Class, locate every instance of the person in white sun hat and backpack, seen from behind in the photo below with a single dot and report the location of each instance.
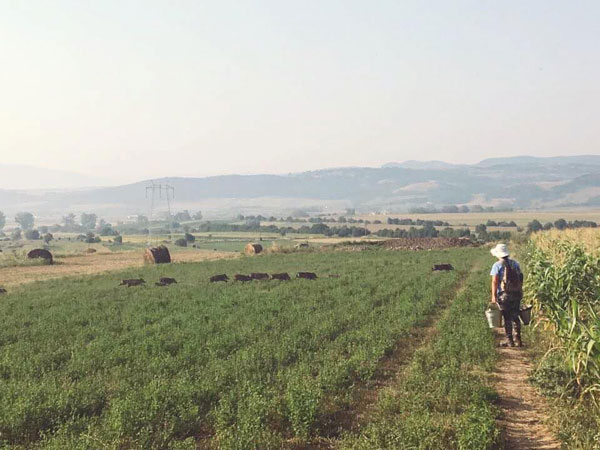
(507, 292)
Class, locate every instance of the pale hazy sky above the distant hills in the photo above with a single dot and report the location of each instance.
(138, 89)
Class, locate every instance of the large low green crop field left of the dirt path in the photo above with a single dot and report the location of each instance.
(85, 363)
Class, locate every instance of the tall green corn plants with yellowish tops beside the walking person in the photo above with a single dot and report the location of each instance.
(563, 283)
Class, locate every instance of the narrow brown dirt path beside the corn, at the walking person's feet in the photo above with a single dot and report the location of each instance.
(523, 410)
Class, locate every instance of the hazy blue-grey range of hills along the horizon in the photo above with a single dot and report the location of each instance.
(520, 182)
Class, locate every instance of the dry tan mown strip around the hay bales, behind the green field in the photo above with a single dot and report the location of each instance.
(95, 263)
